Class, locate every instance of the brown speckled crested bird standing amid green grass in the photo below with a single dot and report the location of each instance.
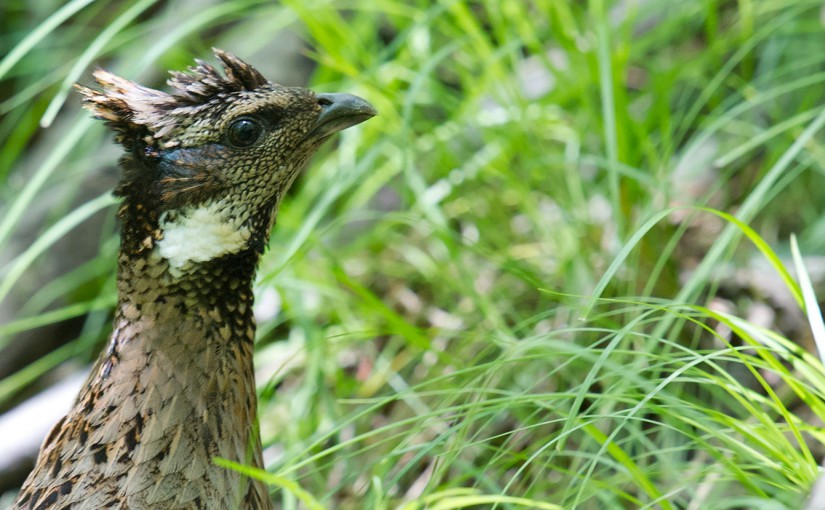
(204, 170)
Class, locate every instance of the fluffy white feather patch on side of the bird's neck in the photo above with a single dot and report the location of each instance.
(200, 234)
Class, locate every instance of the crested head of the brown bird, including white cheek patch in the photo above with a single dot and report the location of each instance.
(207, 164)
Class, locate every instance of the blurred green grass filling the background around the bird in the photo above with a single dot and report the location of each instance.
(532, 282)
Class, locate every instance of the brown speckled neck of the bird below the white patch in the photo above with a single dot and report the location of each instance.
(174, 389)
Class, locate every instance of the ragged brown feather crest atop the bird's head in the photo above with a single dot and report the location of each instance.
(138, 112)
